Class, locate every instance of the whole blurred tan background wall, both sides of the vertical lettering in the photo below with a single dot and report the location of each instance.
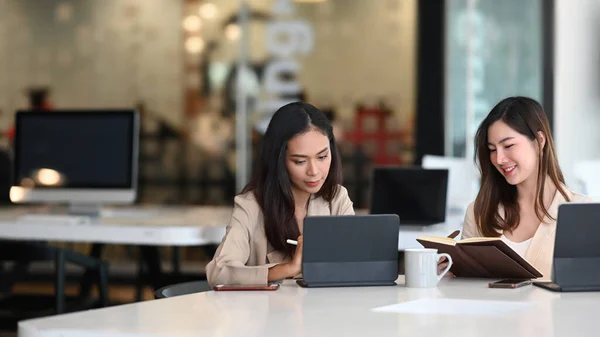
(110, 51)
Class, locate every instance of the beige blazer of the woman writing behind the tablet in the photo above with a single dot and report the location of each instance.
(244, 255)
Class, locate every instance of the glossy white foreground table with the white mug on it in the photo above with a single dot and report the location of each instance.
(475, 310)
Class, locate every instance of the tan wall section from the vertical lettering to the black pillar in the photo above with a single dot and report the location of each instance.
(363, 50)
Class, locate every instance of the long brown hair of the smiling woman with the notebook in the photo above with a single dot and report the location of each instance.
(527, 117)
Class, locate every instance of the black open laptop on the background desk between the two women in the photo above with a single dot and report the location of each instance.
(416, 195)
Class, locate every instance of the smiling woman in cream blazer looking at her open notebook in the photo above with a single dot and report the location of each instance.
(522, 184)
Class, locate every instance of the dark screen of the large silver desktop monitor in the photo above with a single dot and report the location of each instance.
(75, 149)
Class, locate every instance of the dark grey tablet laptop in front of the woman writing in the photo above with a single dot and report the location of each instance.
(350, 250)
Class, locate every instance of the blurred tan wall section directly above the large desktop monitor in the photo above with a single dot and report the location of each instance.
(100, 54)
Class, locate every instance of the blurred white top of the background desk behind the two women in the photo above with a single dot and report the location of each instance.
(168, 226)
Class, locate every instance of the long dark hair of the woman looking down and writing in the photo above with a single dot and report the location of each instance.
(270, 180)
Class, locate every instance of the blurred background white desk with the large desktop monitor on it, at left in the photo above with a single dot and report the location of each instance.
(68, 165)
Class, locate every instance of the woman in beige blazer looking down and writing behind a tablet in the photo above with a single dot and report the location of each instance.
(298, 173)
